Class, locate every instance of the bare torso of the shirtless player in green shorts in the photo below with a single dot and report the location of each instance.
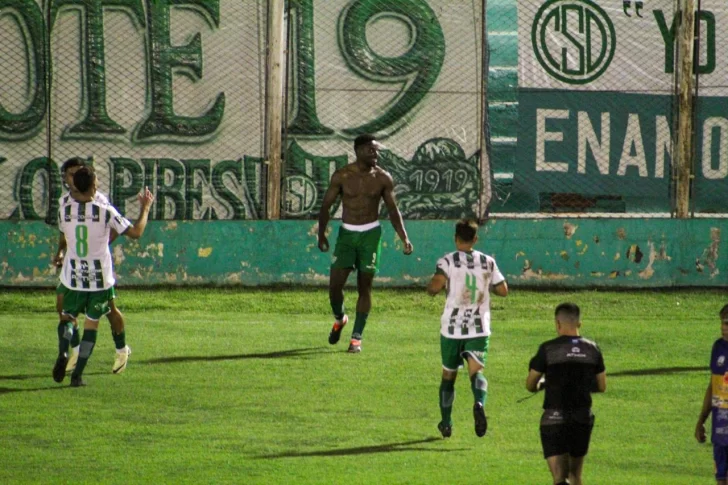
(361, 193)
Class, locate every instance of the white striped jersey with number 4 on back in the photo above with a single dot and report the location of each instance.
(469, 278)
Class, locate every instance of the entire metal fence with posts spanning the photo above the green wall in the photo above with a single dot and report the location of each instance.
(583, 97)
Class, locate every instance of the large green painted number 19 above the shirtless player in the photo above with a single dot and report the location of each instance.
(415, 71)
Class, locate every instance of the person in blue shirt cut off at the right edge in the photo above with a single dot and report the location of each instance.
(716, 402)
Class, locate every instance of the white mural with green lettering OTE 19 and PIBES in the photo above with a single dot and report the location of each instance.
(170, 95)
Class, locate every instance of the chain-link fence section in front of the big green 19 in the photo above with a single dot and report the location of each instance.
(408, 71)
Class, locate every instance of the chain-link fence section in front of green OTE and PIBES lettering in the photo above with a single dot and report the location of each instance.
(152, 94)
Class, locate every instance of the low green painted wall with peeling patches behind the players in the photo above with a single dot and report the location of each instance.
(549, 253)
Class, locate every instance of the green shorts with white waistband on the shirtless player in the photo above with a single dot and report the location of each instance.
(358, 250)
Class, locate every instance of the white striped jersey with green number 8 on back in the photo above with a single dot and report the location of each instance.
(87, 225)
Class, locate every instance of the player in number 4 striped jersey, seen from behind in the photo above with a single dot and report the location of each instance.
(468, 276)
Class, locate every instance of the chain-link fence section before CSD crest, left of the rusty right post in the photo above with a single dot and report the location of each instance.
(591, 127)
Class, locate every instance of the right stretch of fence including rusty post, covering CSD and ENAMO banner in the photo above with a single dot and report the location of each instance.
(592, 125)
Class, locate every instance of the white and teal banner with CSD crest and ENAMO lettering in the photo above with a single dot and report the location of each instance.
(591, 124)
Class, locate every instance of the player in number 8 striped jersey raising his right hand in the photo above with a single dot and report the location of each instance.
(87, 272)
